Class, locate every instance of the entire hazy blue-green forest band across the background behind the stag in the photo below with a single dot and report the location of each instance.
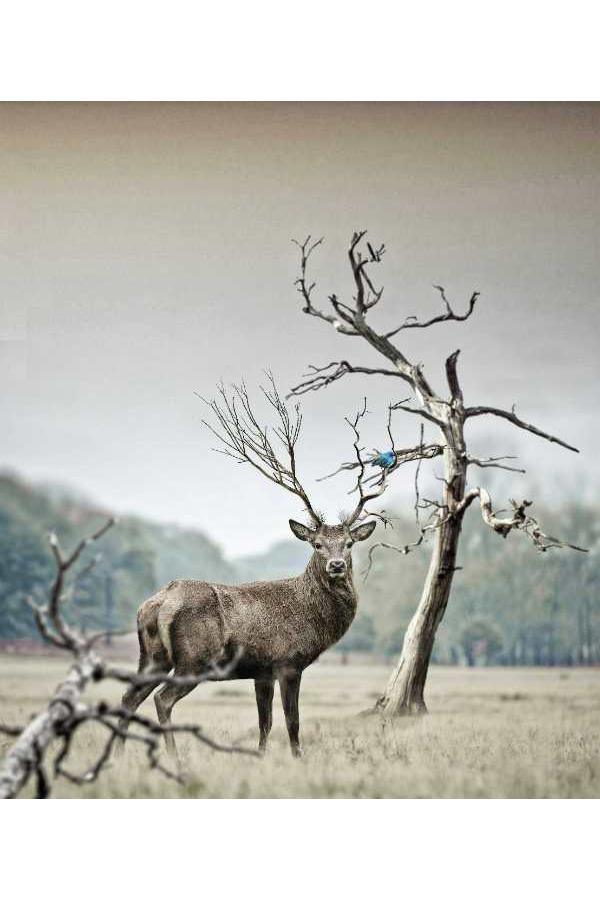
(510, 604)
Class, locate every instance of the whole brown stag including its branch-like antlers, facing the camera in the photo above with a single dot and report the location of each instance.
(264, 630)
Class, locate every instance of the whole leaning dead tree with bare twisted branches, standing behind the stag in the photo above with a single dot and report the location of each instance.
(449, 414)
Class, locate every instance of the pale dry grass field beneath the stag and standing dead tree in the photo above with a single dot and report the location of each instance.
(490, 733)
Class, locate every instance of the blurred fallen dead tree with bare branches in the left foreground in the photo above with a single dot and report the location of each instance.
(58, 722)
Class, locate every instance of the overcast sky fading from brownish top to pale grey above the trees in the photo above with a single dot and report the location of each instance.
(145, 253)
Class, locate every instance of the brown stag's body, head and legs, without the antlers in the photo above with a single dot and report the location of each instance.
(270, 629)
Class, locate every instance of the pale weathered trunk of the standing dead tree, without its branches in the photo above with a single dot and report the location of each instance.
(404, 693)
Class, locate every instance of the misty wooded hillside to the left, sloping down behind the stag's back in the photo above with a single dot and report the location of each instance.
(136, 557)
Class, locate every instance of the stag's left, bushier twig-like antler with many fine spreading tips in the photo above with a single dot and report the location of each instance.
(247, 441)
